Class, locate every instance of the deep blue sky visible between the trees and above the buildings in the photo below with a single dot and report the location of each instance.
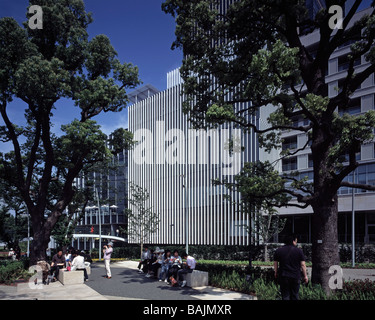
(140, 32)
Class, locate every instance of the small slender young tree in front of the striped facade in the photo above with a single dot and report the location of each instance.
(142, 221)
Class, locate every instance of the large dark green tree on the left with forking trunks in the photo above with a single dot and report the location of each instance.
(40, 67)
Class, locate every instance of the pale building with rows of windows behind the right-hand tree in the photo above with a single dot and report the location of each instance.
(299, 220)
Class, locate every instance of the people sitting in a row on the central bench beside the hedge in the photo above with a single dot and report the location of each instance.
(172, 267)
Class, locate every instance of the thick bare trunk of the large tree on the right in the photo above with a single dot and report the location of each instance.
(325, 249)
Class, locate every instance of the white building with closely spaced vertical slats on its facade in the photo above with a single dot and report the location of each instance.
(177, 166)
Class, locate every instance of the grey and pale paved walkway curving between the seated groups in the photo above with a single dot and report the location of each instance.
(126, 284)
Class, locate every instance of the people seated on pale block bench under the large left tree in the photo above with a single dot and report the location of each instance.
(71, 260)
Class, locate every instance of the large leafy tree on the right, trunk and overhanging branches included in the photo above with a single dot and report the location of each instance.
(253, 52)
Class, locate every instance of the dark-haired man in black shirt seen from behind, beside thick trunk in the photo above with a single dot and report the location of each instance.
(288, 263)
